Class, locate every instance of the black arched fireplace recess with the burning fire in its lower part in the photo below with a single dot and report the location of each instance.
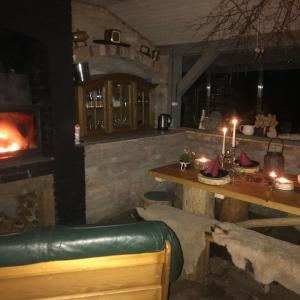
(25, 97)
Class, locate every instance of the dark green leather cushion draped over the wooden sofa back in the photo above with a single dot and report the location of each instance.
(68, 243)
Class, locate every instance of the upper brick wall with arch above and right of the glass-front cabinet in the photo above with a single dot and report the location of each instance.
(94, 20)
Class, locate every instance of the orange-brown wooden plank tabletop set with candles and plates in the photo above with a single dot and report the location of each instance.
(241, 188)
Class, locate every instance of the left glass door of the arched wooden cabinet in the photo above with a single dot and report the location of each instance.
(95, 109)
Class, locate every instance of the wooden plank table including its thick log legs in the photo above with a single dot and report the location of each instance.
(199, 198)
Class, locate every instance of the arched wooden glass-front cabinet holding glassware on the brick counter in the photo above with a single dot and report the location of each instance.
(114, 103)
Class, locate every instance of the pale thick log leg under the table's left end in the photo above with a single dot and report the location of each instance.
(198, 202)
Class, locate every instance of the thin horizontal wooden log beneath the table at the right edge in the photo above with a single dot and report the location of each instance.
(270, 222)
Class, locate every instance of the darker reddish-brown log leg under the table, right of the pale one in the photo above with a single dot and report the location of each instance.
(233, 210)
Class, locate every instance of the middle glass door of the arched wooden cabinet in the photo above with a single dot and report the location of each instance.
(120, 105)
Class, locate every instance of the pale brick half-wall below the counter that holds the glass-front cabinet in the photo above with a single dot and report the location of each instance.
(117, 172)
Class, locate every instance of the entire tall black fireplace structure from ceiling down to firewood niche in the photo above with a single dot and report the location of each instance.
(36, 55)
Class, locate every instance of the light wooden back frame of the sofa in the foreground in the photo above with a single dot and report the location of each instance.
(127, 277)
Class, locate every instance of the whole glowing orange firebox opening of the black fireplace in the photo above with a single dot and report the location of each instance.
(18, 131)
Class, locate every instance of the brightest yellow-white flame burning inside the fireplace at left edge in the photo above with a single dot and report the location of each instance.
(10, 138)
